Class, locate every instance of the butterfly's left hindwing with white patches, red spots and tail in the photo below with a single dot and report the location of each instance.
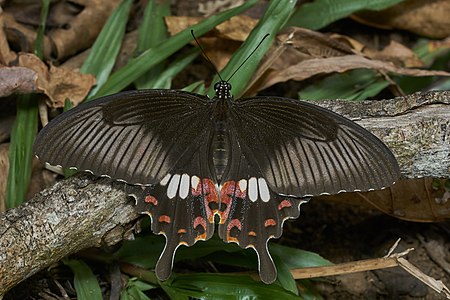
(182, 206)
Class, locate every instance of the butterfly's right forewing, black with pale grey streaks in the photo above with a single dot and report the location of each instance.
(302, 149)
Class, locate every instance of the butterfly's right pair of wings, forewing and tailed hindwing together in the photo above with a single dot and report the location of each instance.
(284, 150)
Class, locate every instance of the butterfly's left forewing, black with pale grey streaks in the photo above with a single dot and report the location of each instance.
(134, 136)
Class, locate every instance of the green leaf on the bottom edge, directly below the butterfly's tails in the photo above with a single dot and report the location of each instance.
(222, 286)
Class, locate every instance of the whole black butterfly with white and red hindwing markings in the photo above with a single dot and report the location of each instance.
(250, 161)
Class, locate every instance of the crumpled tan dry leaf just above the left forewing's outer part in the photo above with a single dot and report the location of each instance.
(58, 83)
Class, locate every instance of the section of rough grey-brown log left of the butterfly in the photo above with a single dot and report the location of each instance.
(74, 214)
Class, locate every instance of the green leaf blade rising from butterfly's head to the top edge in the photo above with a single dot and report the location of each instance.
(274, 18)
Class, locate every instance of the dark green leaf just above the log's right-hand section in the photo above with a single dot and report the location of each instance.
(358, 84)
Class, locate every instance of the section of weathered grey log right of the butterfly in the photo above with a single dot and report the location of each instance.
(416, 128)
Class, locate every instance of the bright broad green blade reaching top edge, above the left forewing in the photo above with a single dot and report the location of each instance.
(104, 52)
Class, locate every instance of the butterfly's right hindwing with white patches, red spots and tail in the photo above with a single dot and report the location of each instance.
(250, 212)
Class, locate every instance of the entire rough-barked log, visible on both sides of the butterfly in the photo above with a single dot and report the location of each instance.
(83, 212)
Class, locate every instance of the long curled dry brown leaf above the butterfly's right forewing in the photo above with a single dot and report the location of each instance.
(315, 53)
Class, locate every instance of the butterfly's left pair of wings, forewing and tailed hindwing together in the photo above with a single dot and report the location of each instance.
(156, 138)
